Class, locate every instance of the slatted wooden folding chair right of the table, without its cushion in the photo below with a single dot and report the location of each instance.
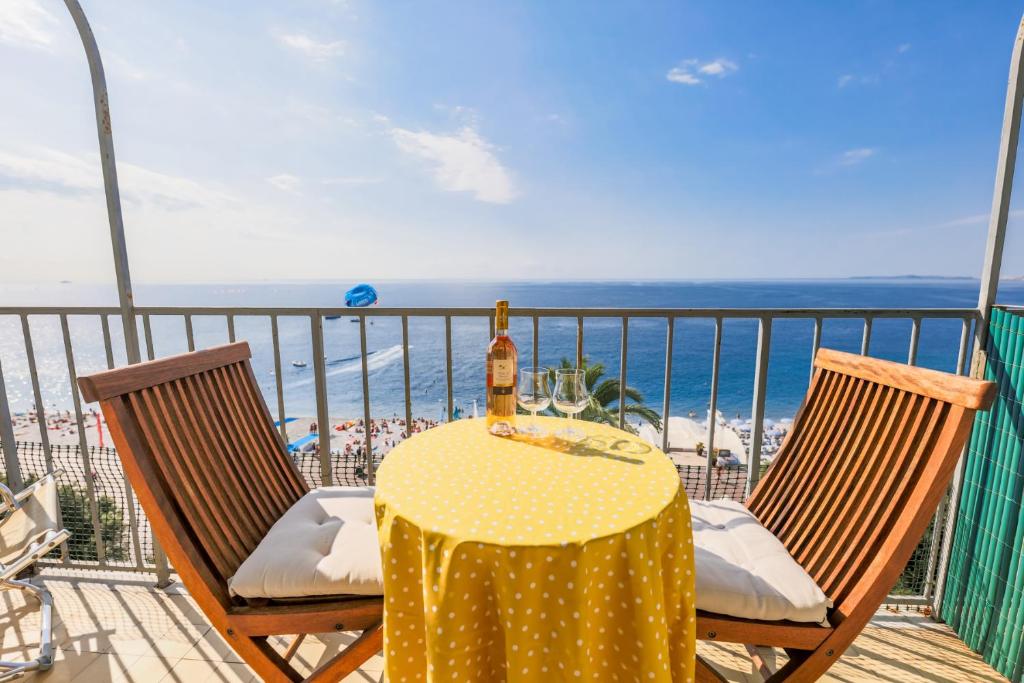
(850, 495)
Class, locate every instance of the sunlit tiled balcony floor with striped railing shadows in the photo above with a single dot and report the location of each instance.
(119, 628)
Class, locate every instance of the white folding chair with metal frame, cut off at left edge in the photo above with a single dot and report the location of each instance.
(30, 528)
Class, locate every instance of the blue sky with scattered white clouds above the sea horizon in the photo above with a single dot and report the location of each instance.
(344, 140)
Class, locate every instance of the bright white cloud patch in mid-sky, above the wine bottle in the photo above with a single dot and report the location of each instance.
(462, 162)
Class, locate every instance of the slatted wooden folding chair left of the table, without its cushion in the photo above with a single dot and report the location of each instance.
(211, 473)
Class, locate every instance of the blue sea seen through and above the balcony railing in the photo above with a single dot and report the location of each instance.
(693, 351)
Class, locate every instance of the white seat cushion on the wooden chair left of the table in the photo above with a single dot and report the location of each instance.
(326, 544)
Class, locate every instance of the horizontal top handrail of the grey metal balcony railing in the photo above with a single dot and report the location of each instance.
(435, 312)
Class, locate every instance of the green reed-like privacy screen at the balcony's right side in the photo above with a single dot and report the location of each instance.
(985, 597)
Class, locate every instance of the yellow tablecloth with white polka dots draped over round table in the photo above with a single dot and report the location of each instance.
(535, 560)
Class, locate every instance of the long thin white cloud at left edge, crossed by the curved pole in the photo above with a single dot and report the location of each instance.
(48, 170)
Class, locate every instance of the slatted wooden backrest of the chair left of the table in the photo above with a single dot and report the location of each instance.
(201, 451)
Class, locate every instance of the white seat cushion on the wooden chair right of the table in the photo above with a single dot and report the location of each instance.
(744, 571)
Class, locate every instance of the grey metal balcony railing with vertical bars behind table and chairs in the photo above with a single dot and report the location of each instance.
(96, 490)
